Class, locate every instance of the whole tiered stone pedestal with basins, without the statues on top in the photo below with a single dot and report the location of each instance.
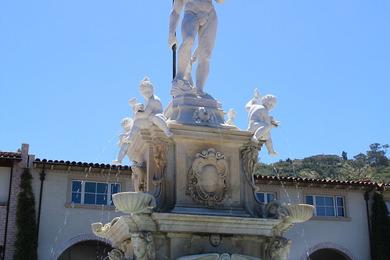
(195, 194)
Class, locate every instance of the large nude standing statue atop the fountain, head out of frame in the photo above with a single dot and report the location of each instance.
(199, 19)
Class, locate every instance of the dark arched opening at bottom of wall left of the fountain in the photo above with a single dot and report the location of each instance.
(86, 250)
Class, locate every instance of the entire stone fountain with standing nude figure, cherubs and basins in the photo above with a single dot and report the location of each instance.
(193, 194)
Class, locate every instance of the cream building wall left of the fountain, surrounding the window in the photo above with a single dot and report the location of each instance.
(62, 225)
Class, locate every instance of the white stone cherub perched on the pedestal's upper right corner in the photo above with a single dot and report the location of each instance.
(260, 123)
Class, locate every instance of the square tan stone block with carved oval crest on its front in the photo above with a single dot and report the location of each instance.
(207, 171)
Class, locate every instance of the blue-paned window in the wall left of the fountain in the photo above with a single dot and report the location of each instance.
(93, 193)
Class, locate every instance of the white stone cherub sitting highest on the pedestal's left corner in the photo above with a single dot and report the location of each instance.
(150, 113)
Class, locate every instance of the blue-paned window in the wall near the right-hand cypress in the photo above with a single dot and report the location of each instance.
(327, 206)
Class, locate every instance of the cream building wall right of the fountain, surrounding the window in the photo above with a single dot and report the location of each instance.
(348, 234)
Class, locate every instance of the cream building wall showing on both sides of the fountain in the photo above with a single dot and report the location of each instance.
(63, 225)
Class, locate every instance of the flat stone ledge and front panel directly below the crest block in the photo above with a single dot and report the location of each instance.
(193, 234)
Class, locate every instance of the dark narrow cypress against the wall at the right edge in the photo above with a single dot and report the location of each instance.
(380, 228)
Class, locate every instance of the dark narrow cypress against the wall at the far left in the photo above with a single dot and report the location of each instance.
(26, 228)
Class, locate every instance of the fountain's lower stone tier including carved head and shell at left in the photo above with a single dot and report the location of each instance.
(178, 236)
